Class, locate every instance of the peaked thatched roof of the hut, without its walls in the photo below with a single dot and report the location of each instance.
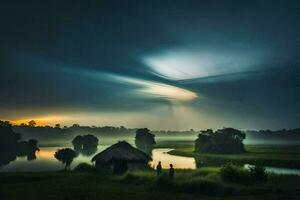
(121, 151)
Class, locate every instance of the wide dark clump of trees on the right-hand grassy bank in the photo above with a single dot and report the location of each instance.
(226, 140)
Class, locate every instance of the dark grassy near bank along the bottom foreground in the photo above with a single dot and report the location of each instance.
(204, 184)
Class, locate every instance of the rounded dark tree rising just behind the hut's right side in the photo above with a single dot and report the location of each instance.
(144, 140)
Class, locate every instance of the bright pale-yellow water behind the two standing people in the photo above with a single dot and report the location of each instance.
(179, 162)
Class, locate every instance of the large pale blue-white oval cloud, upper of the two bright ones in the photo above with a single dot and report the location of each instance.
(185, 63)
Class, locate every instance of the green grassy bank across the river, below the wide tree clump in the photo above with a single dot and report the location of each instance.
(287, 156)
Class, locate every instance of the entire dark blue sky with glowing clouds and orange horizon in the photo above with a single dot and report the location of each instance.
(161, 64)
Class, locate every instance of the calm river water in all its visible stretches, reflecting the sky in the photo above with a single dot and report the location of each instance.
(46, 162)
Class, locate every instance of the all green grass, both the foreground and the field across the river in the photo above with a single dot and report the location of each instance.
(204, 183)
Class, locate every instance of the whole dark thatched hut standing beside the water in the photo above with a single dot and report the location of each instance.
(120, 157)
